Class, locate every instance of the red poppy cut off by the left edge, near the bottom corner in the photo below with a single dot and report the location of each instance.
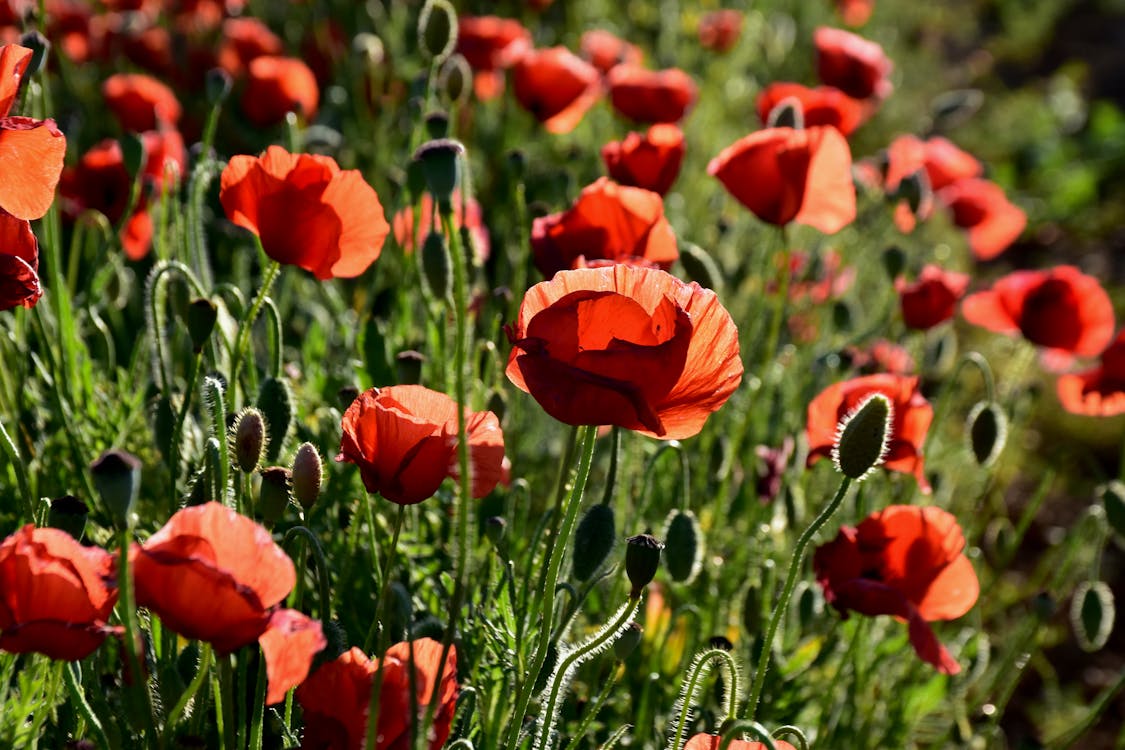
(57, 594)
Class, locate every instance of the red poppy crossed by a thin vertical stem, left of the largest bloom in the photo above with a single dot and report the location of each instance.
(404, 441)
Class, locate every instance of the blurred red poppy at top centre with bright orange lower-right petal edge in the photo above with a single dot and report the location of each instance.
(556, 87)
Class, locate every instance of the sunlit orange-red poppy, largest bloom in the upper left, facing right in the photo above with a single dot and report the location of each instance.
(307, 211)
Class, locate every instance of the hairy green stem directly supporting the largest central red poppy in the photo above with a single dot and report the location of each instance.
(555, 564)
